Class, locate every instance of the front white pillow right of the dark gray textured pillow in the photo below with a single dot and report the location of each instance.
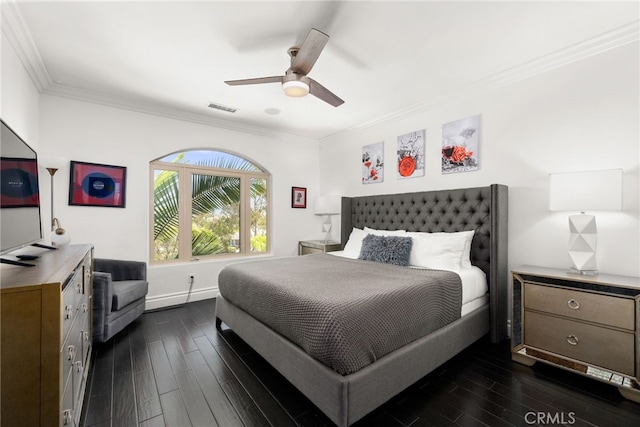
(444, 251)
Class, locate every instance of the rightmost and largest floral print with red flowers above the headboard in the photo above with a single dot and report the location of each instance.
(460, 145)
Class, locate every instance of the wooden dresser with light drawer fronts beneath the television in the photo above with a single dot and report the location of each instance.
(46, 338)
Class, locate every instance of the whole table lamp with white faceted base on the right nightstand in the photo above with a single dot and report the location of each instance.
(580, 192)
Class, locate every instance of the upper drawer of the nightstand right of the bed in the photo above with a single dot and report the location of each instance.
(603, 309)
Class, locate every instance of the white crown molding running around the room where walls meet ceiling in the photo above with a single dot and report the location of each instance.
(17, 33)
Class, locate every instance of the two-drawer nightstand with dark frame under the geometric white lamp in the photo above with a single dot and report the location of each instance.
(584, 324)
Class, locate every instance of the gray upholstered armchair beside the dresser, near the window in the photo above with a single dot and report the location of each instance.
(119, 291)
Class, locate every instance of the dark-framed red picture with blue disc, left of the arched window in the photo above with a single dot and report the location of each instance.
(93, 184)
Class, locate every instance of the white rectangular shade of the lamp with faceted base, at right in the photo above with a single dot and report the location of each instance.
(586, 191)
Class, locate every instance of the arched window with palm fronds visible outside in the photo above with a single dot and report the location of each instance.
(208, 204)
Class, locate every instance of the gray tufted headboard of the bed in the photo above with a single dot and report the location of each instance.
(484, 209)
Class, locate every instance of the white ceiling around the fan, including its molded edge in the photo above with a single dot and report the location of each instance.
(384, 59)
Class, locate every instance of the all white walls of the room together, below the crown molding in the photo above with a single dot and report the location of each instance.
(582, 116)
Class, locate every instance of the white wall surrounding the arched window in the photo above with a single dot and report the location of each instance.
(94, 133)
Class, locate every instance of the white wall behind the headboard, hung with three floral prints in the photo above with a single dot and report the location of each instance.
(583, 116)
